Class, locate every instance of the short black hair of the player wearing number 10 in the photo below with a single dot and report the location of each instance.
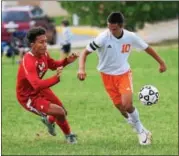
(115, 18)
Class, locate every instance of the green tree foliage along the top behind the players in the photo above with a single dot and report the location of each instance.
(136, 13)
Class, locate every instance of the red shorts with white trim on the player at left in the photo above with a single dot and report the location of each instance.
(40, 103)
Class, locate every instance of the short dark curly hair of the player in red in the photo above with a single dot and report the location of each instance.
(33, 33)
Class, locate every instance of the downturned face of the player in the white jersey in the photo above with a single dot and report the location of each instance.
(115, 29)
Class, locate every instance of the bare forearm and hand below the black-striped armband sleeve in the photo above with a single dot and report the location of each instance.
(81, 65)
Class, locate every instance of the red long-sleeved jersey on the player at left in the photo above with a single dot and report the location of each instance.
(30, 73)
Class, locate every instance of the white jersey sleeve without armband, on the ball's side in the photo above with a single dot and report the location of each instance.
(138, 43)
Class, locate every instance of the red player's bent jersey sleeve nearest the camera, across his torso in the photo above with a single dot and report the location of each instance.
(31, 75)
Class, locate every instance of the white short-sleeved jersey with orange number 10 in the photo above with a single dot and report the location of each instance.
(113, 53)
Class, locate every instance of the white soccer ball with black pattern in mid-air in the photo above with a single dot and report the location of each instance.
(148, 95)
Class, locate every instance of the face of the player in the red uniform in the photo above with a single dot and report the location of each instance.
(40, 45)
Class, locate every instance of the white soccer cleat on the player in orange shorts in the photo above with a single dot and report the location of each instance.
(145, 137)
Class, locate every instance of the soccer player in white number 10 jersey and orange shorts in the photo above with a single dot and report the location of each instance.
(114, 47)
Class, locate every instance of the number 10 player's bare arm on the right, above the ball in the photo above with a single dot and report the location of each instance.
(161, 62)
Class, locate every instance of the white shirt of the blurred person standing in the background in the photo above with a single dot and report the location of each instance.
(67, 35)
